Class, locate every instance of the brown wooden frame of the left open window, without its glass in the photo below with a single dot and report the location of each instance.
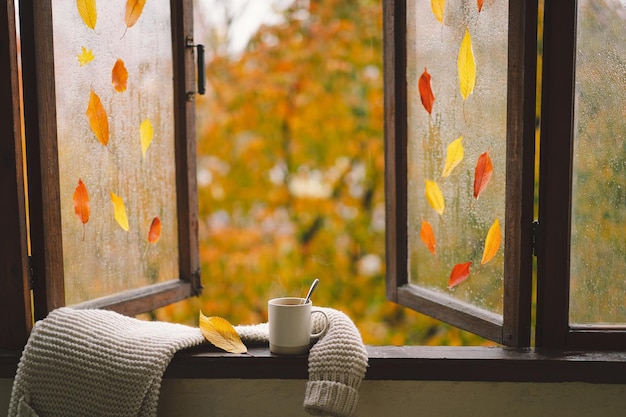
(46, 260)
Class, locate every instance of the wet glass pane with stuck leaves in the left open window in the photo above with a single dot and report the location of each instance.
(114, 93)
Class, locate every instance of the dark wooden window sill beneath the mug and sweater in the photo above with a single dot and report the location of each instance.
(405, 363)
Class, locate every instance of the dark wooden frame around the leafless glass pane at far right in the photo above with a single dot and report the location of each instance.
(554, 330)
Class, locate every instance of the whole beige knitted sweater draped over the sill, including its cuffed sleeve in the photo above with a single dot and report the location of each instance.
(97, 362)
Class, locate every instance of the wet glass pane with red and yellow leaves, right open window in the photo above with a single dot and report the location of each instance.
(457, 147)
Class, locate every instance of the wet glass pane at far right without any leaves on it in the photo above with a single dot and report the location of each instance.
(598, 254)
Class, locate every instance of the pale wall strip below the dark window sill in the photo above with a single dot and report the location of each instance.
(284, 397)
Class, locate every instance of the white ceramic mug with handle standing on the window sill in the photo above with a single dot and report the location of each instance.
(290, 325)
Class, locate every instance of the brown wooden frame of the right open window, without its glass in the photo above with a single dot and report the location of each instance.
(513, 327)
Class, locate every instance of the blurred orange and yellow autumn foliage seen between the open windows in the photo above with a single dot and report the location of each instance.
(290, 175)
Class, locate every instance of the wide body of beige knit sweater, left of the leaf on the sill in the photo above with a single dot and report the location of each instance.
(95, 363)
